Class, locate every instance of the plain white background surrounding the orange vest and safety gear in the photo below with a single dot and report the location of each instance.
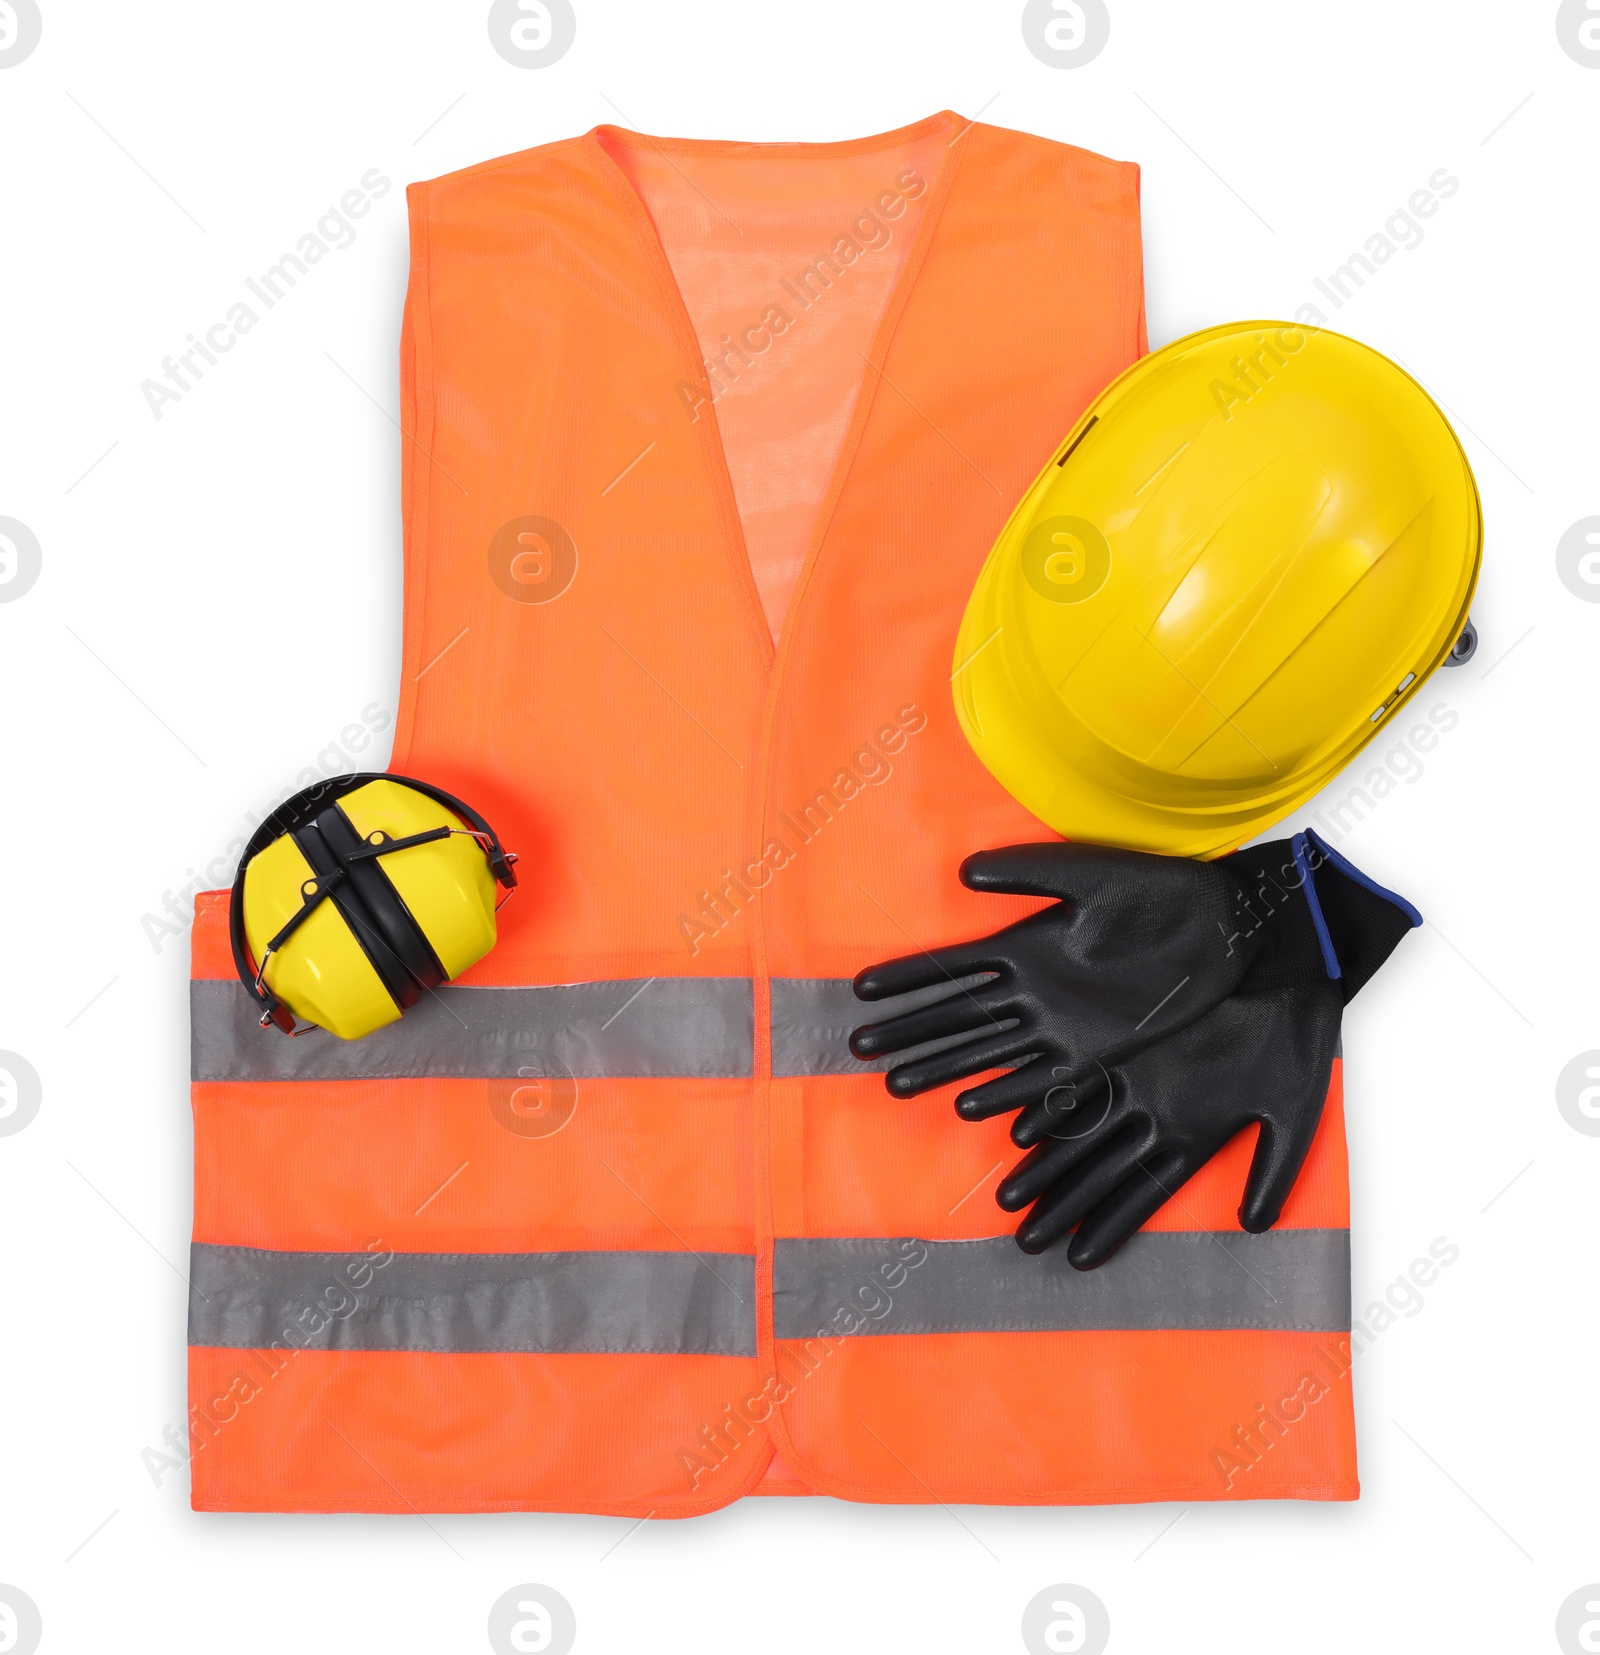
(221, 595)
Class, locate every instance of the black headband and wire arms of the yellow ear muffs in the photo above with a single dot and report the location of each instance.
(350, 875)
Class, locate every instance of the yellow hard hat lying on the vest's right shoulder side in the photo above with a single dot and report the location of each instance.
(1232, 575)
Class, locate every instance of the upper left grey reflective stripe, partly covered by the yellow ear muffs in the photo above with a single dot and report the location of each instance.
(694, 1027)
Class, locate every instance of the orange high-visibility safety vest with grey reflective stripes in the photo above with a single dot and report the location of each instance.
(704, 448)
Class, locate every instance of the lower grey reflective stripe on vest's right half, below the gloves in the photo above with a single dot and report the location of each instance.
(1161, 1280)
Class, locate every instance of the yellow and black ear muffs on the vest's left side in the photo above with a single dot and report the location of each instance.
(358, 896)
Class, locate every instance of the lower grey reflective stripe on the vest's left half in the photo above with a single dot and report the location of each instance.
(674, 1303)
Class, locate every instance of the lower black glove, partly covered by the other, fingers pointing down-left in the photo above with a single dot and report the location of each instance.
(1114, 1146)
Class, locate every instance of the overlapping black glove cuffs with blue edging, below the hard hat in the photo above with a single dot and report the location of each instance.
(1343, 933)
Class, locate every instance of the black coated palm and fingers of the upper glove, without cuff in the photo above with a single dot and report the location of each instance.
(1136, 947)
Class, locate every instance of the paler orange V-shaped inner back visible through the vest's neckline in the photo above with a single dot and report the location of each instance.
(787, 259)
